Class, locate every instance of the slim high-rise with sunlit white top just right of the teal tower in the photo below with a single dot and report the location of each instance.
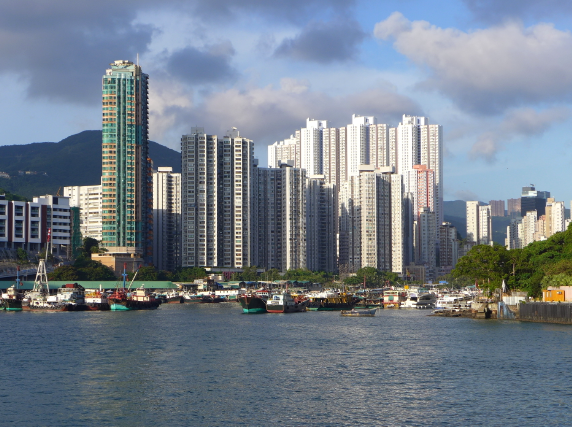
(167, 229)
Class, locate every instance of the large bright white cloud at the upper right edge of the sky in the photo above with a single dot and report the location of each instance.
(487, 70)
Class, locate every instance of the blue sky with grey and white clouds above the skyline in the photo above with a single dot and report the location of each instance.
(497, 75)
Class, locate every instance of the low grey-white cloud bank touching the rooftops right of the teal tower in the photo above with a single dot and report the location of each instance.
(266, 114)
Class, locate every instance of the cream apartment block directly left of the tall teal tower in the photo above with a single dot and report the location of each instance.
(88, 199)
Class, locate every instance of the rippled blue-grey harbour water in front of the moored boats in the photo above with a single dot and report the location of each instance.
(211, 365)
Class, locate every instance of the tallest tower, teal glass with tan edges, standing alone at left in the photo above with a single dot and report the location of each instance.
(127, 182)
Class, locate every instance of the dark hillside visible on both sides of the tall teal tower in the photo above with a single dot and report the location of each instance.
(75, 160)
